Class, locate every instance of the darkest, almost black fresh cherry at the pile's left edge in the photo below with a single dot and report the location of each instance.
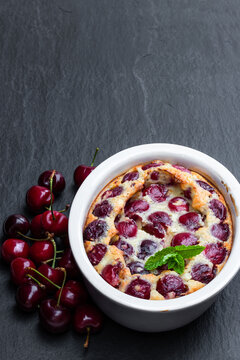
(15, 223)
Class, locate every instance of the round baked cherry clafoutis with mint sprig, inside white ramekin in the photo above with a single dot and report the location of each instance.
(158, 231)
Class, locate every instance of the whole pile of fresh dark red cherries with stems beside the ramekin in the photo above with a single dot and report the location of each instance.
(47, 278)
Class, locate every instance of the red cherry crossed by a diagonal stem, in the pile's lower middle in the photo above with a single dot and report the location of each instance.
(55, 275)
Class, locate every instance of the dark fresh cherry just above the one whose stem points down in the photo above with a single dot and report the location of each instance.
(73, 294)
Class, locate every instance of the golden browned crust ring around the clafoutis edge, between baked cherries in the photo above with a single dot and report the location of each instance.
(200, 203)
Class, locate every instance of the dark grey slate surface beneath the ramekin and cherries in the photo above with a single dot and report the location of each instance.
(78, 74)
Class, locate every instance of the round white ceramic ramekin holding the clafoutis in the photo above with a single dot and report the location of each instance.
(153, 315)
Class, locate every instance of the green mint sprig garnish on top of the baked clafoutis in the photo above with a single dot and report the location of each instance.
(173, 256)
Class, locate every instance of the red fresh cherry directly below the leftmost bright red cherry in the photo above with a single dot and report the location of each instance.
(19, 270)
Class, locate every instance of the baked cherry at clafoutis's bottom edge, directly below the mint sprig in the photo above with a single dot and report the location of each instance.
(171, 286)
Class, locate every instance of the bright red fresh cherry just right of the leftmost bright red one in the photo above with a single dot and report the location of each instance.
(41, 251)
